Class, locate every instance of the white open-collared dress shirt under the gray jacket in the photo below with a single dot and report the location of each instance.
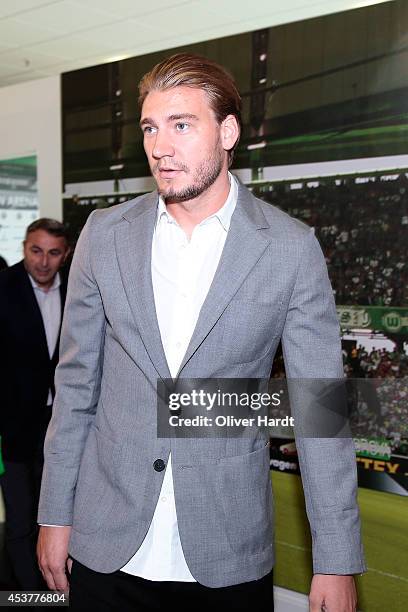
(182, 272)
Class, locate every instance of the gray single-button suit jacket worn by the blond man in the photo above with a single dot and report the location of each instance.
(271, 284)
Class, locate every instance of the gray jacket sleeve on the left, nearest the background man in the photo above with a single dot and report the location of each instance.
(77, 380)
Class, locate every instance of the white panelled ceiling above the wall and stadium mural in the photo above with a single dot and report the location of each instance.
(60, 35)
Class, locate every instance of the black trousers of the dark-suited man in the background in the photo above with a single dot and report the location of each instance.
(20, 486)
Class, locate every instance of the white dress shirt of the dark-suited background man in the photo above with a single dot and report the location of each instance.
(49, 303)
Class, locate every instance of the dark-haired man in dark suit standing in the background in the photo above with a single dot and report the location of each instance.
(32, 296)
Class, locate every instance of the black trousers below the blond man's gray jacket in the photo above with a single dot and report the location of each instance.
(120, 592)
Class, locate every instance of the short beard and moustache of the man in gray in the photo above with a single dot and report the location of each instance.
(204, 176)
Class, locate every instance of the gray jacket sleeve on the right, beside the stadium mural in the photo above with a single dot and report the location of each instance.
(312, 350)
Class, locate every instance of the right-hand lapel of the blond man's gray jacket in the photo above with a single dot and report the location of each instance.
(243, 247)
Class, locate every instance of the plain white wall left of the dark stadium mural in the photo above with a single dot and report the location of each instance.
(30, 123)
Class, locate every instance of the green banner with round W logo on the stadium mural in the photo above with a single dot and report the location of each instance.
(378, 318)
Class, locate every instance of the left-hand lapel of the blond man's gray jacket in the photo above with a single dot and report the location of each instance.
(133, 242)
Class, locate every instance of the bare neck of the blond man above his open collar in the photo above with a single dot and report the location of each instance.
(190, 213)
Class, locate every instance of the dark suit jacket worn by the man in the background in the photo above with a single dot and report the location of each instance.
(26, 370)
